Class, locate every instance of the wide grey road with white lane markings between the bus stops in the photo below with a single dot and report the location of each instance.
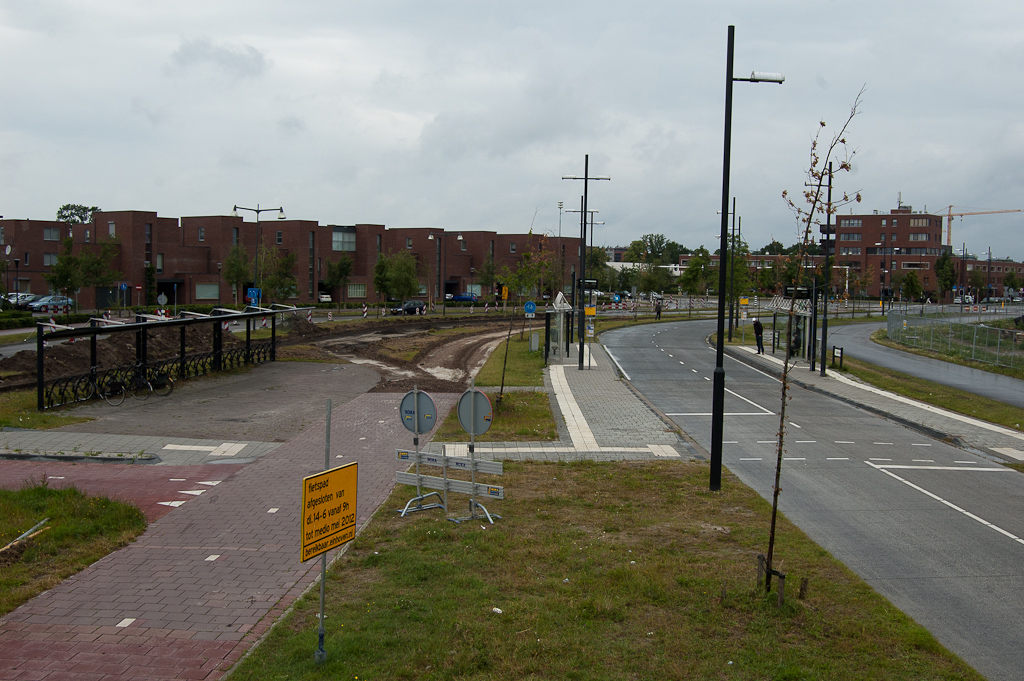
(933, 529)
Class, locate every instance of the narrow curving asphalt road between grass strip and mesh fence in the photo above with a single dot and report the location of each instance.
(856, 342)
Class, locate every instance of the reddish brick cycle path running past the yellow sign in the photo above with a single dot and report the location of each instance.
(204, 583)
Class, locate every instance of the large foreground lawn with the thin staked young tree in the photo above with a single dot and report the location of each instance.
(602, 572)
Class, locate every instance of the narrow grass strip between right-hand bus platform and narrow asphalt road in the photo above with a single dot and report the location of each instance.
(936, 395)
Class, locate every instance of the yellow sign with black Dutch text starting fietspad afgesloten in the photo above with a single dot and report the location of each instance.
(329, 509)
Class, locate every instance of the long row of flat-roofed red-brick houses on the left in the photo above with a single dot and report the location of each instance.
(188, 256)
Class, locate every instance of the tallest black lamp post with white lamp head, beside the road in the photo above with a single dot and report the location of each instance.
(718, 399)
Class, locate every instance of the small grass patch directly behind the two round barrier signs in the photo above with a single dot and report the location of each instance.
(520, 417)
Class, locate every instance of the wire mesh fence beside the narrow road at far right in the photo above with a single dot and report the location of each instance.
(1004, 348)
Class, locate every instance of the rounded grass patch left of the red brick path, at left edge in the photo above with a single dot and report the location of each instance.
(82, 530)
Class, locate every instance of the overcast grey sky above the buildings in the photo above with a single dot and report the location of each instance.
(465, 115)
